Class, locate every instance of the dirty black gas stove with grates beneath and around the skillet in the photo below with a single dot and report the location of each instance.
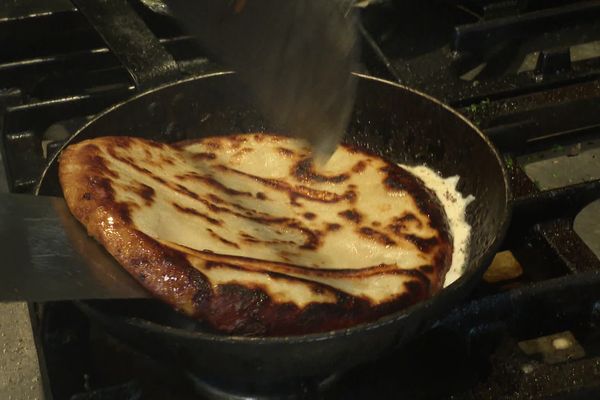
(526, 72)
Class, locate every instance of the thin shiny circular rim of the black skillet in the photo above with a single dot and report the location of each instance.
(320, 336)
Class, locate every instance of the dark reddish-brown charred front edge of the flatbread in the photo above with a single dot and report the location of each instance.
(249, 310)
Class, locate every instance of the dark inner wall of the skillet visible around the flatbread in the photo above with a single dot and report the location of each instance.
(399, 124)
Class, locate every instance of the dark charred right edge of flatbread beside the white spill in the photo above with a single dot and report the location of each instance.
(398, 179)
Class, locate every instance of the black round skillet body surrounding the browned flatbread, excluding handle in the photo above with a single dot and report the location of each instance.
(394, 121)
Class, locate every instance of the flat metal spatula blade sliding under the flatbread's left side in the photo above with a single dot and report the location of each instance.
(47, 255)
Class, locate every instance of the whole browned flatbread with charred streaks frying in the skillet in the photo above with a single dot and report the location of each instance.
(241, 232)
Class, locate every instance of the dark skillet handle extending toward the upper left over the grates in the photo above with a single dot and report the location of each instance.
(128, 37)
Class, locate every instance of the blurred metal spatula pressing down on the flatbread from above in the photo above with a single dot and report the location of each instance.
(294, 56)
